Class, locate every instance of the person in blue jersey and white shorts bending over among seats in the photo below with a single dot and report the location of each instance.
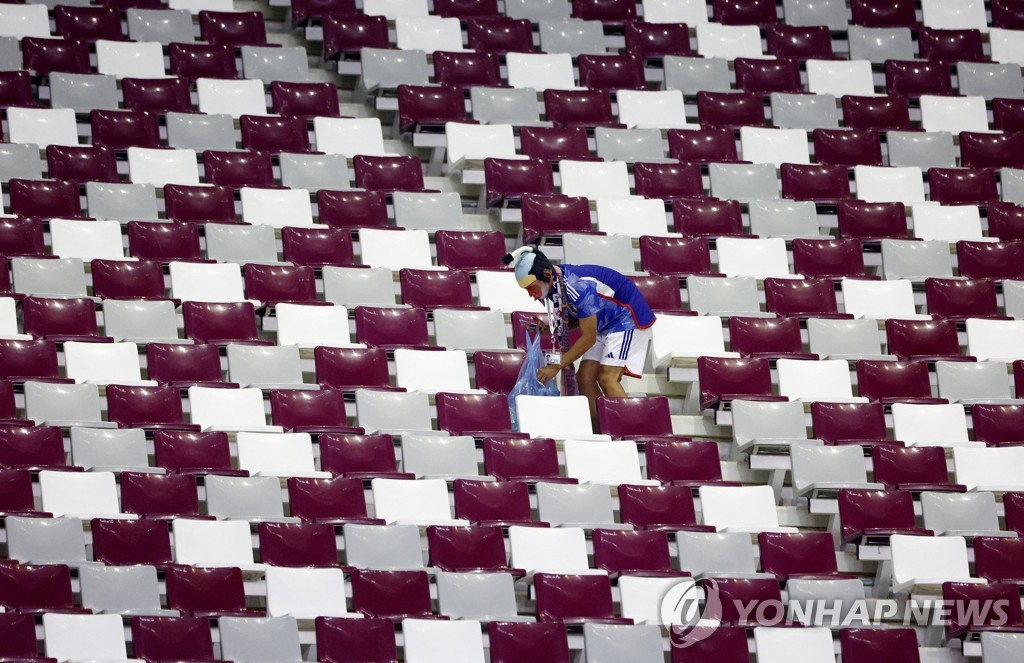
(613, 317)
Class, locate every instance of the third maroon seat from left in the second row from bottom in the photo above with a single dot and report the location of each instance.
(393, 595)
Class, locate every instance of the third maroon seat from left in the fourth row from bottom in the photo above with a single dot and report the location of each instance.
(336, 501)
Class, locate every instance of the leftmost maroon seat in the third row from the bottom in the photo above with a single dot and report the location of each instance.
(121, 543)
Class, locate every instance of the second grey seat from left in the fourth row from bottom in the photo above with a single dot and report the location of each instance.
(570, 506)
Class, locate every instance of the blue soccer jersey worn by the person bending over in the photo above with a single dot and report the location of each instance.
(593, 291)
